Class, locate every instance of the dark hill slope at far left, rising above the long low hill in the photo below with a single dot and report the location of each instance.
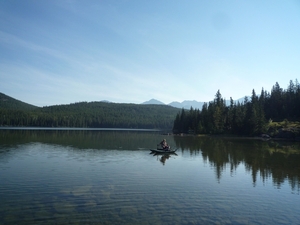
(7, 102)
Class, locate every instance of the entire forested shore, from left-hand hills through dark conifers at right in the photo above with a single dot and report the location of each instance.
(252, 117)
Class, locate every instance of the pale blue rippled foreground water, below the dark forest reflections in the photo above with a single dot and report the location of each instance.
(56, 184)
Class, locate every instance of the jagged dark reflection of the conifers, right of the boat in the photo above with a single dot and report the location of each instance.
(267, 159)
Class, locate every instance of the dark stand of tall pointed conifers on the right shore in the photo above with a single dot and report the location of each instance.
(250, 117)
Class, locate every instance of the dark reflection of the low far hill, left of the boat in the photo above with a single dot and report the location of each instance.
(82, 139)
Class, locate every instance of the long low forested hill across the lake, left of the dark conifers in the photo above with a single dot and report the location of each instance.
(92, 115)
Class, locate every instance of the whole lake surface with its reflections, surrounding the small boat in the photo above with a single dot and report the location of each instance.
(109, 177)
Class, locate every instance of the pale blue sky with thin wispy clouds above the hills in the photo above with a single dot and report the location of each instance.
(130, 51)
